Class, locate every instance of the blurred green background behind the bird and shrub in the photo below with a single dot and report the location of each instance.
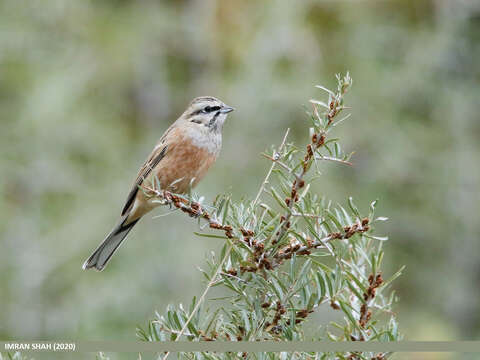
(87, 87)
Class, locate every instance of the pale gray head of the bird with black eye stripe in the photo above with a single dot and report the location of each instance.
(207, 111)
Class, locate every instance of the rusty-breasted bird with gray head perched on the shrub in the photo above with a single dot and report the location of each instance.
(179, 160)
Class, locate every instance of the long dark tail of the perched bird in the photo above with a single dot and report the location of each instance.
(104, 252)
